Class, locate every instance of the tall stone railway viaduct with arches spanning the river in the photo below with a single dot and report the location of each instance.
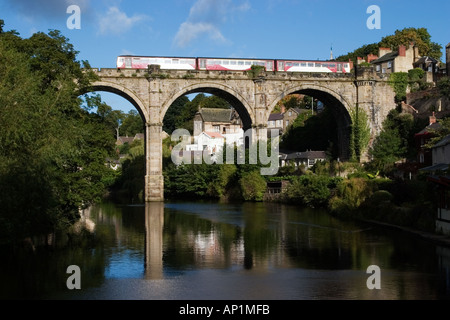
(254, 96)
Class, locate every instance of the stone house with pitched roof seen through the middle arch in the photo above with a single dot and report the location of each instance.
(224, 121)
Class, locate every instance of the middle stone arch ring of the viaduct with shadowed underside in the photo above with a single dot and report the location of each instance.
(237, 101)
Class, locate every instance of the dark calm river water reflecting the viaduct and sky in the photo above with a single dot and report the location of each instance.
(223, 251)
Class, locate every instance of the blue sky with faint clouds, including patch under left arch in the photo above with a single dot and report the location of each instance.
(100, 30)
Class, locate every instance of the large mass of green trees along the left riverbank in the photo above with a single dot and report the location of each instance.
(52, 151)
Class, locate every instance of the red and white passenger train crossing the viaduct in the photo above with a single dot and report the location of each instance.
(231, 64)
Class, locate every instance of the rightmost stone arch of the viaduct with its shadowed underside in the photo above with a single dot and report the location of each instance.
(340, 106)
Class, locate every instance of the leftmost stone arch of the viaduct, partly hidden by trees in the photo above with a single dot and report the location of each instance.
(124, 93)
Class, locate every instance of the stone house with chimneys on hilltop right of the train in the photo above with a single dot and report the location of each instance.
(396, 61)
